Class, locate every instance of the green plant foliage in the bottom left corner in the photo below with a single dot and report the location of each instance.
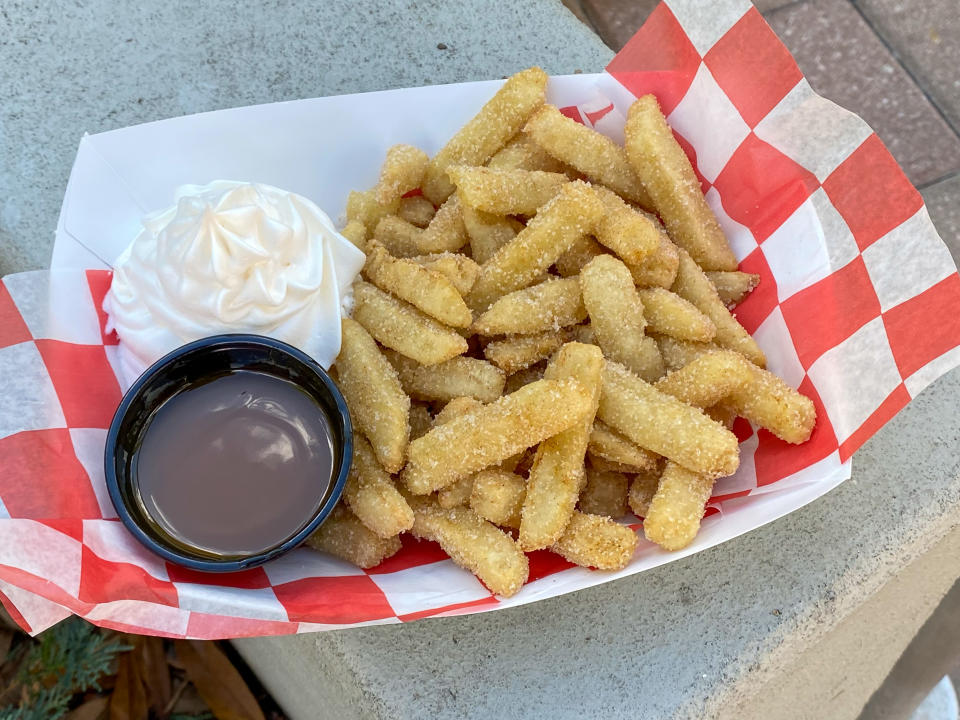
(67, 659)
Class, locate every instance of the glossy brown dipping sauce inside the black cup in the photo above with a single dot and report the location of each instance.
(233, 465)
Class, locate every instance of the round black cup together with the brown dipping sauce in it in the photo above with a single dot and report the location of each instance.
(228, 452)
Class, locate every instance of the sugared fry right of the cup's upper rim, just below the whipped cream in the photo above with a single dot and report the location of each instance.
(378, 405)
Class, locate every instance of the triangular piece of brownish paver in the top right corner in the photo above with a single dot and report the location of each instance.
(923, 35)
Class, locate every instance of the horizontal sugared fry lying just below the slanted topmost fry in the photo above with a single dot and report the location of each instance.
(505, 192)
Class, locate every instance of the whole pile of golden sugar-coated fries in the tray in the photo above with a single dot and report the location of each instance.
(531, 352)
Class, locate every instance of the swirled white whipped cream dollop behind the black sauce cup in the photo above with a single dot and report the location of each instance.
(231, 257)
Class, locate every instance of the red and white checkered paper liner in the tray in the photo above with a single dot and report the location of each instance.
(852, 273)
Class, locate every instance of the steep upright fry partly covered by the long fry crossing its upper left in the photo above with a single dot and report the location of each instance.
(557, 475)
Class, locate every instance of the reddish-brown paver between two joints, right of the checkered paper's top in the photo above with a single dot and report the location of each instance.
(845, 61)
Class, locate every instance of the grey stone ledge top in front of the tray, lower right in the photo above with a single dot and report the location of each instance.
(679, 641)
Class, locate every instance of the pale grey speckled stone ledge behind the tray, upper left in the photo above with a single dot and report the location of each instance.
(67, 68)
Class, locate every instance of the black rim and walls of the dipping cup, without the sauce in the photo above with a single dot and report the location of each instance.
(195, 365)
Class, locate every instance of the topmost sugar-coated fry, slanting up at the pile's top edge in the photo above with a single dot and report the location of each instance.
(488, 131)
